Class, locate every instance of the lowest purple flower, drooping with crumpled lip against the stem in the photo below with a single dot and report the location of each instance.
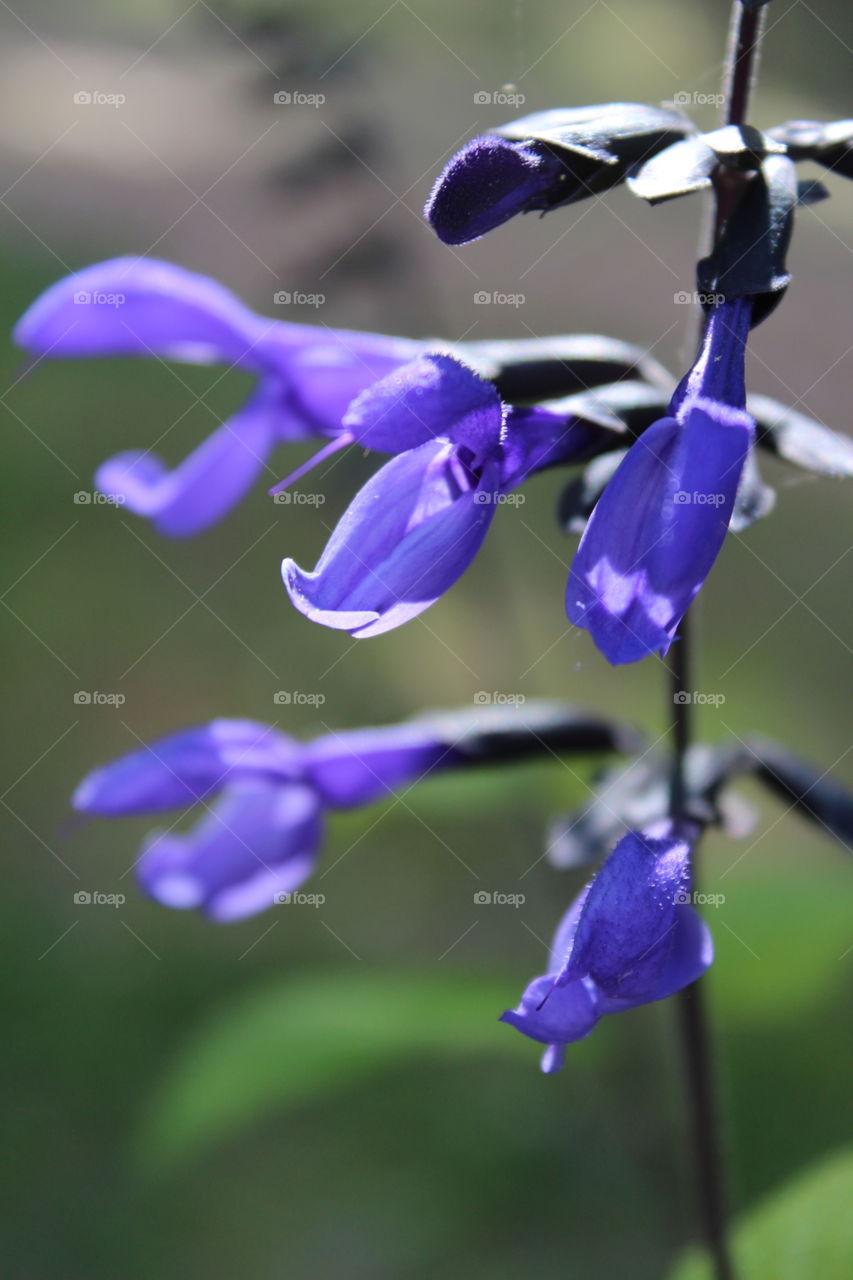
(630, 939)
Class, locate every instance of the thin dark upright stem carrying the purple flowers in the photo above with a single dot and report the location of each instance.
(745, 40)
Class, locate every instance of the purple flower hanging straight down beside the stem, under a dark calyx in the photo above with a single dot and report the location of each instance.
(663, 519)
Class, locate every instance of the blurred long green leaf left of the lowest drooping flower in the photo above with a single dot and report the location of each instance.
(291, 1043)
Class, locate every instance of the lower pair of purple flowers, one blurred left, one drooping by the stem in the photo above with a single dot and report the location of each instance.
(630, 939)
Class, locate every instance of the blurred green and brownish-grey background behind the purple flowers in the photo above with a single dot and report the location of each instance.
(327, 1091)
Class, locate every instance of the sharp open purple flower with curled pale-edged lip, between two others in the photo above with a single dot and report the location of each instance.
(418, 524)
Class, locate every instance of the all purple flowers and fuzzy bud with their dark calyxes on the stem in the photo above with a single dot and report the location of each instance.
(669, 470)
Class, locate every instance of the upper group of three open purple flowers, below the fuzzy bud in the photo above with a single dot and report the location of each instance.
(458, 450)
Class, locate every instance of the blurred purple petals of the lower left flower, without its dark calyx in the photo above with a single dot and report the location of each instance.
(264, 797)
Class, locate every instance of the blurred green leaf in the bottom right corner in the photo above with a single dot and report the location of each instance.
(801, 1232)
